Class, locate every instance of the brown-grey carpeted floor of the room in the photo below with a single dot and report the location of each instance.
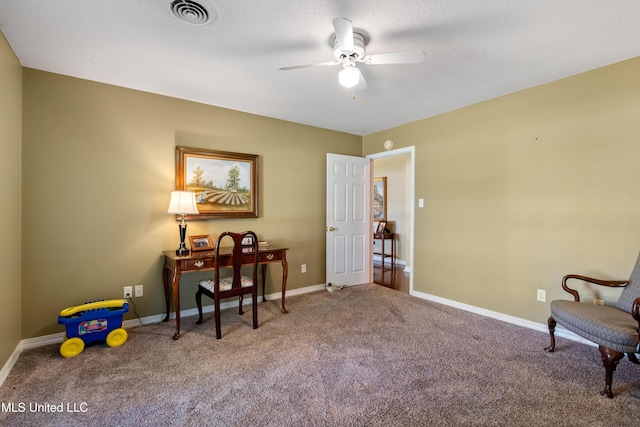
(366, 355)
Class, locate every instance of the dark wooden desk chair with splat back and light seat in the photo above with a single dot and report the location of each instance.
(236, 285)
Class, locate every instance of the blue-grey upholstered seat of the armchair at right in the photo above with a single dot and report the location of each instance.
(603, 325)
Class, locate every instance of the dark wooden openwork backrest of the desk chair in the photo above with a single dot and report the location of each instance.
(241, 254)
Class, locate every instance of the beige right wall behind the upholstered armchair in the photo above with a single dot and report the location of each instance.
(523, 189)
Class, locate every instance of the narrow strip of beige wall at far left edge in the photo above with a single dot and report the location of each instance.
(10, 194)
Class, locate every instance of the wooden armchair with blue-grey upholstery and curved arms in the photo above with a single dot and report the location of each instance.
(616, 329)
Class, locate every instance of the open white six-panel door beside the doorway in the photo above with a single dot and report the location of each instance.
(348, 220)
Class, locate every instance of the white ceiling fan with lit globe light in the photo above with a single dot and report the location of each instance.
(349, 49)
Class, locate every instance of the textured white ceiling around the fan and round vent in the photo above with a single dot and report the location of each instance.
(475, 50)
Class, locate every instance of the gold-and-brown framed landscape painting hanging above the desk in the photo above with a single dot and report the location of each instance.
(225, 183)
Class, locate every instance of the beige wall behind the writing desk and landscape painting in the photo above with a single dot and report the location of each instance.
(99, 167)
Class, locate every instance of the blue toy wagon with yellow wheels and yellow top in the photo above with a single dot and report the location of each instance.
(94, 321)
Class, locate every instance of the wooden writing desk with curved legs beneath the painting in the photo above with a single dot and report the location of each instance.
(175, 265)
